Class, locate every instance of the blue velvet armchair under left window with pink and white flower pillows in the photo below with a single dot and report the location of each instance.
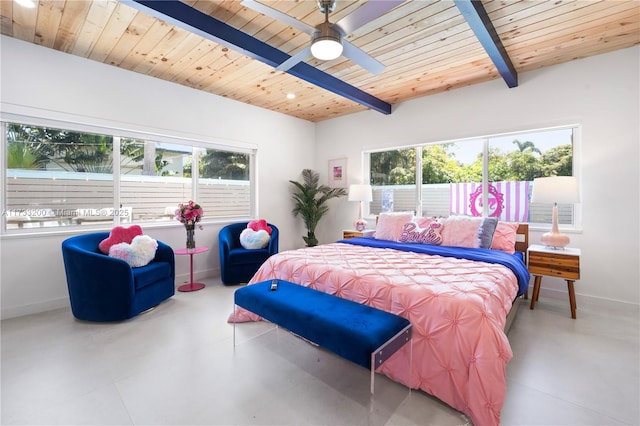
(103, 288)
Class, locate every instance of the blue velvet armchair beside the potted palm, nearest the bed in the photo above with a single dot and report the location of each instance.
(237, 264)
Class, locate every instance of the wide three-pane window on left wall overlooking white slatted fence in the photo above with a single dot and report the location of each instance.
(57, 177)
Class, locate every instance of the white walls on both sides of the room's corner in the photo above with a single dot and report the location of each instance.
(601, 93)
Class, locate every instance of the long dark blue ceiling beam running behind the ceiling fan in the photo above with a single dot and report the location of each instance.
(190, 19)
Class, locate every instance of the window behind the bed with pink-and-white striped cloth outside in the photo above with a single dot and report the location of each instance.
(489, 176)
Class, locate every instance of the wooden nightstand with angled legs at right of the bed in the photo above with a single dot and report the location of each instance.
(545, 261)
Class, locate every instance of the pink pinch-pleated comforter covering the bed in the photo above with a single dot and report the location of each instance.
(457, 307)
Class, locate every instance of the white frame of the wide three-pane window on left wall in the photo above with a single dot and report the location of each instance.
(118, 133)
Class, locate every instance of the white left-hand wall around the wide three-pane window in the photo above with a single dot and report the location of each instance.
(41, 82)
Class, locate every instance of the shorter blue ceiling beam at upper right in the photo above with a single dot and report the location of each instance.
(478, 19)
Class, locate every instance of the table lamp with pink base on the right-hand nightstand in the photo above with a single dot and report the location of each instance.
(554, 190)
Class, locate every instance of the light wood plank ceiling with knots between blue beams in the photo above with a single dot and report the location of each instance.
(427, 47)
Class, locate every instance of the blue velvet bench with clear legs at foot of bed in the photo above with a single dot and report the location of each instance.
(359, 333)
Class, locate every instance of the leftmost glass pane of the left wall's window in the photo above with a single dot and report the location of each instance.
(55, 177)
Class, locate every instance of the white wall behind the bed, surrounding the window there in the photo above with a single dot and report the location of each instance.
(600, 93)
